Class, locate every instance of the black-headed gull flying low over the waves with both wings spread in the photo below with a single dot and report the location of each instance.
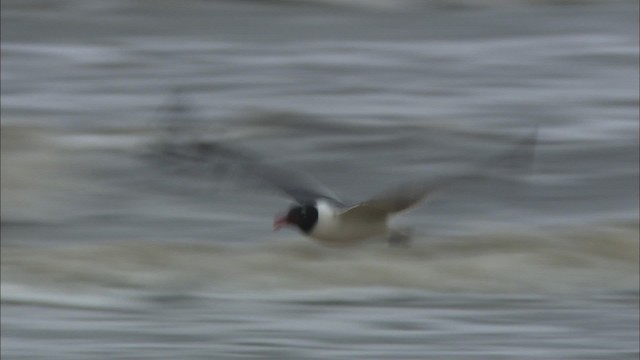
(317, 211)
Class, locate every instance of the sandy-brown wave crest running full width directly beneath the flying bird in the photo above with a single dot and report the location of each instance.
(601, 259)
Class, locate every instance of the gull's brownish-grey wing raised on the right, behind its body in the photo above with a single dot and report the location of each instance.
(408, 195)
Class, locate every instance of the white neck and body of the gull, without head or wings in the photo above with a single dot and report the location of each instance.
(337, 227)
